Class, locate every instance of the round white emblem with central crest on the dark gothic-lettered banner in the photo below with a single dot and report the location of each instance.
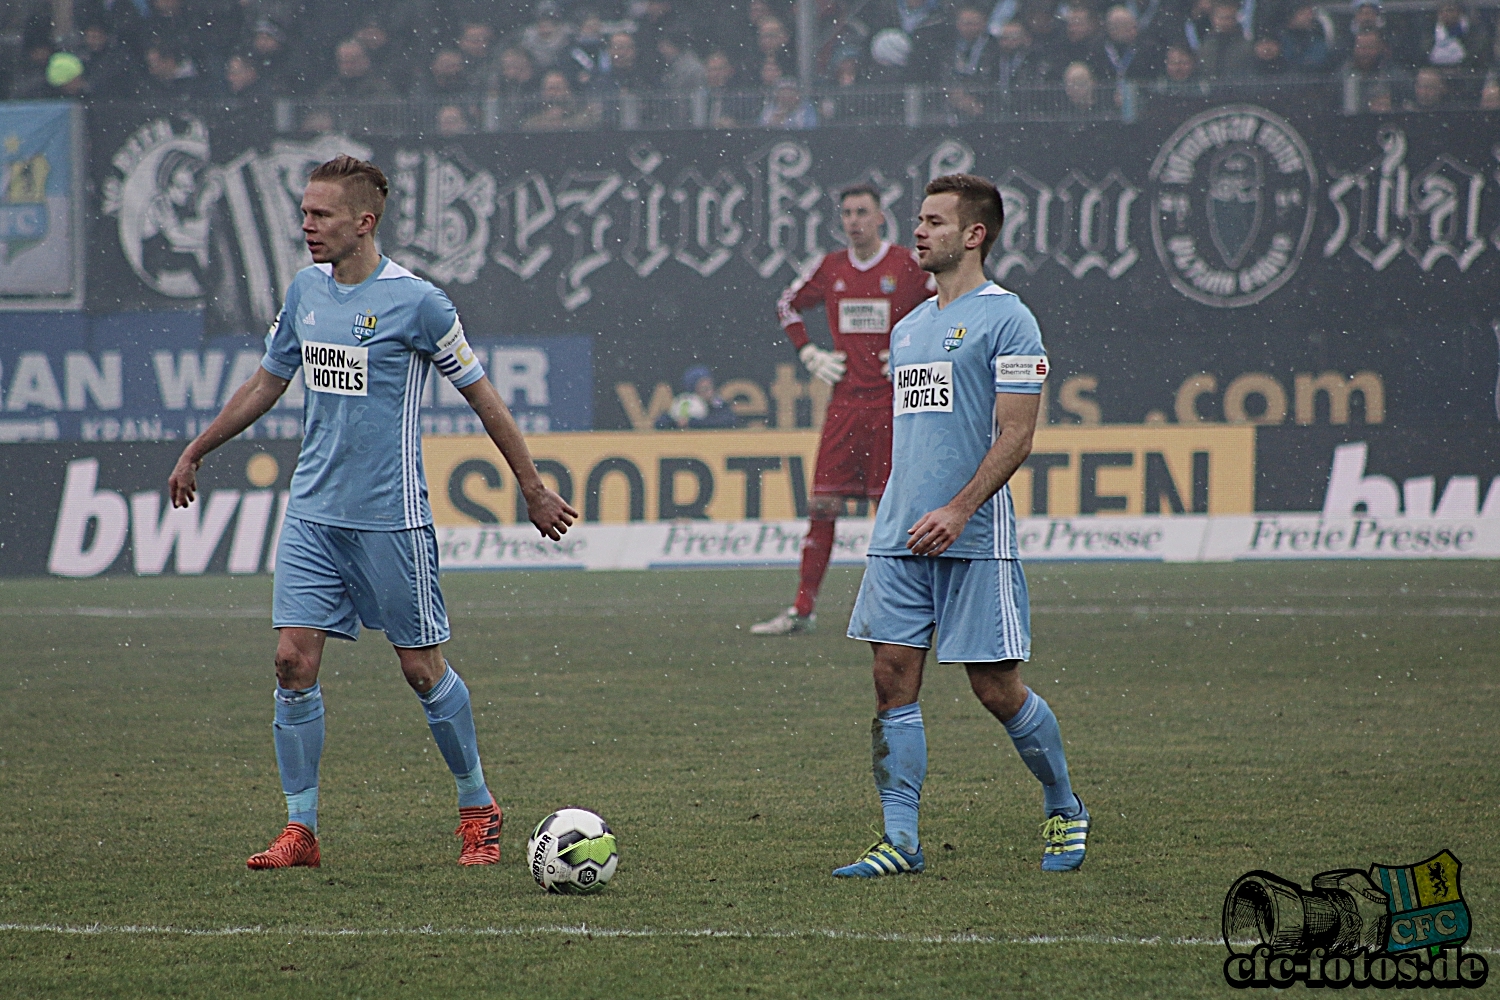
(1232, 205)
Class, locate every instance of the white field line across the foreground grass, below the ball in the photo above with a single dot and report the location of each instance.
(584, 930)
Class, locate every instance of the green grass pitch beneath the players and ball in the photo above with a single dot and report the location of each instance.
(1219, 719)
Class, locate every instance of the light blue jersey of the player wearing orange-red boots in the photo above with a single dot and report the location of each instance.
(364, 356)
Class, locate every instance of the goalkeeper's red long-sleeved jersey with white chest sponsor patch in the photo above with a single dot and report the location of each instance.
(865, 299)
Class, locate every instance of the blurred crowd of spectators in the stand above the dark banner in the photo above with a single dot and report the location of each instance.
(569, 64)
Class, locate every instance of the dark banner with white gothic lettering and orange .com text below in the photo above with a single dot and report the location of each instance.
(1211, 265)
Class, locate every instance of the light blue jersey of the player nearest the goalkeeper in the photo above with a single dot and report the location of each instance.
(947, 365)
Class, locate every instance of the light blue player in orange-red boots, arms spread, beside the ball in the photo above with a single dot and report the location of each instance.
(358, 545)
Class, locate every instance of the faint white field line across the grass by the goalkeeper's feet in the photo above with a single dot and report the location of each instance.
(1154, 611)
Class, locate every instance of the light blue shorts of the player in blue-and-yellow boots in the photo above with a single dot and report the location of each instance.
(979, 606)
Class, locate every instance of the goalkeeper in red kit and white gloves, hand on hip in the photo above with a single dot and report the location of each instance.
(865, 290)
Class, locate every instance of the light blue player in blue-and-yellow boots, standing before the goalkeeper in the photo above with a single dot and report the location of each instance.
(967, 370)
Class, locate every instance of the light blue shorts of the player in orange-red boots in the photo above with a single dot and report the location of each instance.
(337, 578)
